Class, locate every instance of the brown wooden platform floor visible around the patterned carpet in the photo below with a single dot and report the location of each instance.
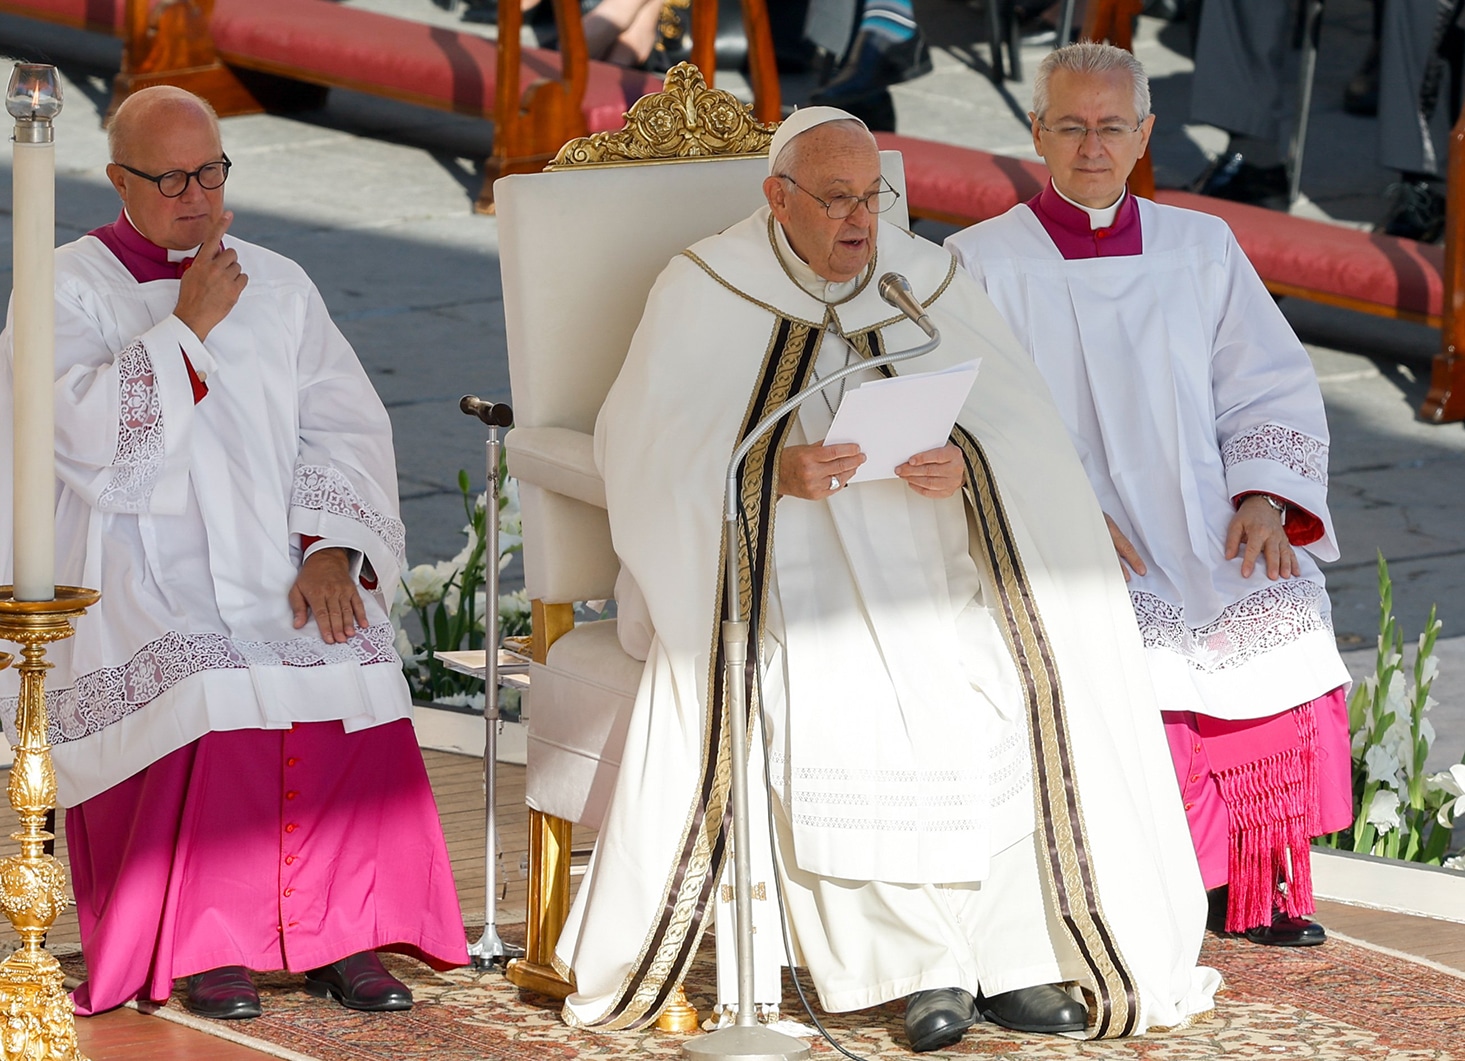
(127, 1035)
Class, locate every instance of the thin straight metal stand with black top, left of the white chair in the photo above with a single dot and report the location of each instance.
(492, 947)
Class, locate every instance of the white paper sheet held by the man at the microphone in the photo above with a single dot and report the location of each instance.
(894, 420)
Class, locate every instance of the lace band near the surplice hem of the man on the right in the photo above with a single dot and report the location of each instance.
(1259, 624)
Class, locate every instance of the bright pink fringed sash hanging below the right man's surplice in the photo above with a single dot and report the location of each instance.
(1268, 775)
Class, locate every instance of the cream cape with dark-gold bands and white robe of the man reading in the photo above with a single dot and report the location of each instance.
(932, 672)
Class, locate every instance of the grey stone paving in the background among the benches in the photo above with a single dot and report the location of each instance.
(374, 200)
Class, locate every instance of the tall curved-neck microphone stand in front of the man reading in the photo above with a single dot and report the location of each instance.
(746, 1038)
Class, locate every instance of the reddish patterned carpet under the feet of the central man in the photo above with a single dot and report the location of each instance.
(1335, 1003)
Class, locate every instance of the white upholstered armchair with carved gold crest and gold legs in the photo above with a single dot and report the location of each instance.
(579, 248)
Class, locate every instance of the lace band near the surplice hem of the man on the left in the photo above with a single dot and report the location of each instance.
(109, 695)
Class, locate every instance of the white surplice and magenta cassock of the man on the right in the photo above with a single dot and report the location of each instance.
(1186, 391)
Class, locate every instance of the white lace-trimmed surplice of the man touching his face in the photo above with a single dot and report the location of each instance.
(188, 518)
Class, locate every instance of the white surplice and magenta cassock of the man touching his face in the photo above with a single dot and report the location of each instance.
(232, 783)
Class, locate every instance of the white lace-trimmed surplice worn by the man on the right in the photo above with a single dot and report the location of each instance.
(1183, 388)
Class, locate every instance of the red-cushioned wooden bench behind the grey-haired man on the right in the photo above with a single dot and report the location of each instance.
(1296, 257)
